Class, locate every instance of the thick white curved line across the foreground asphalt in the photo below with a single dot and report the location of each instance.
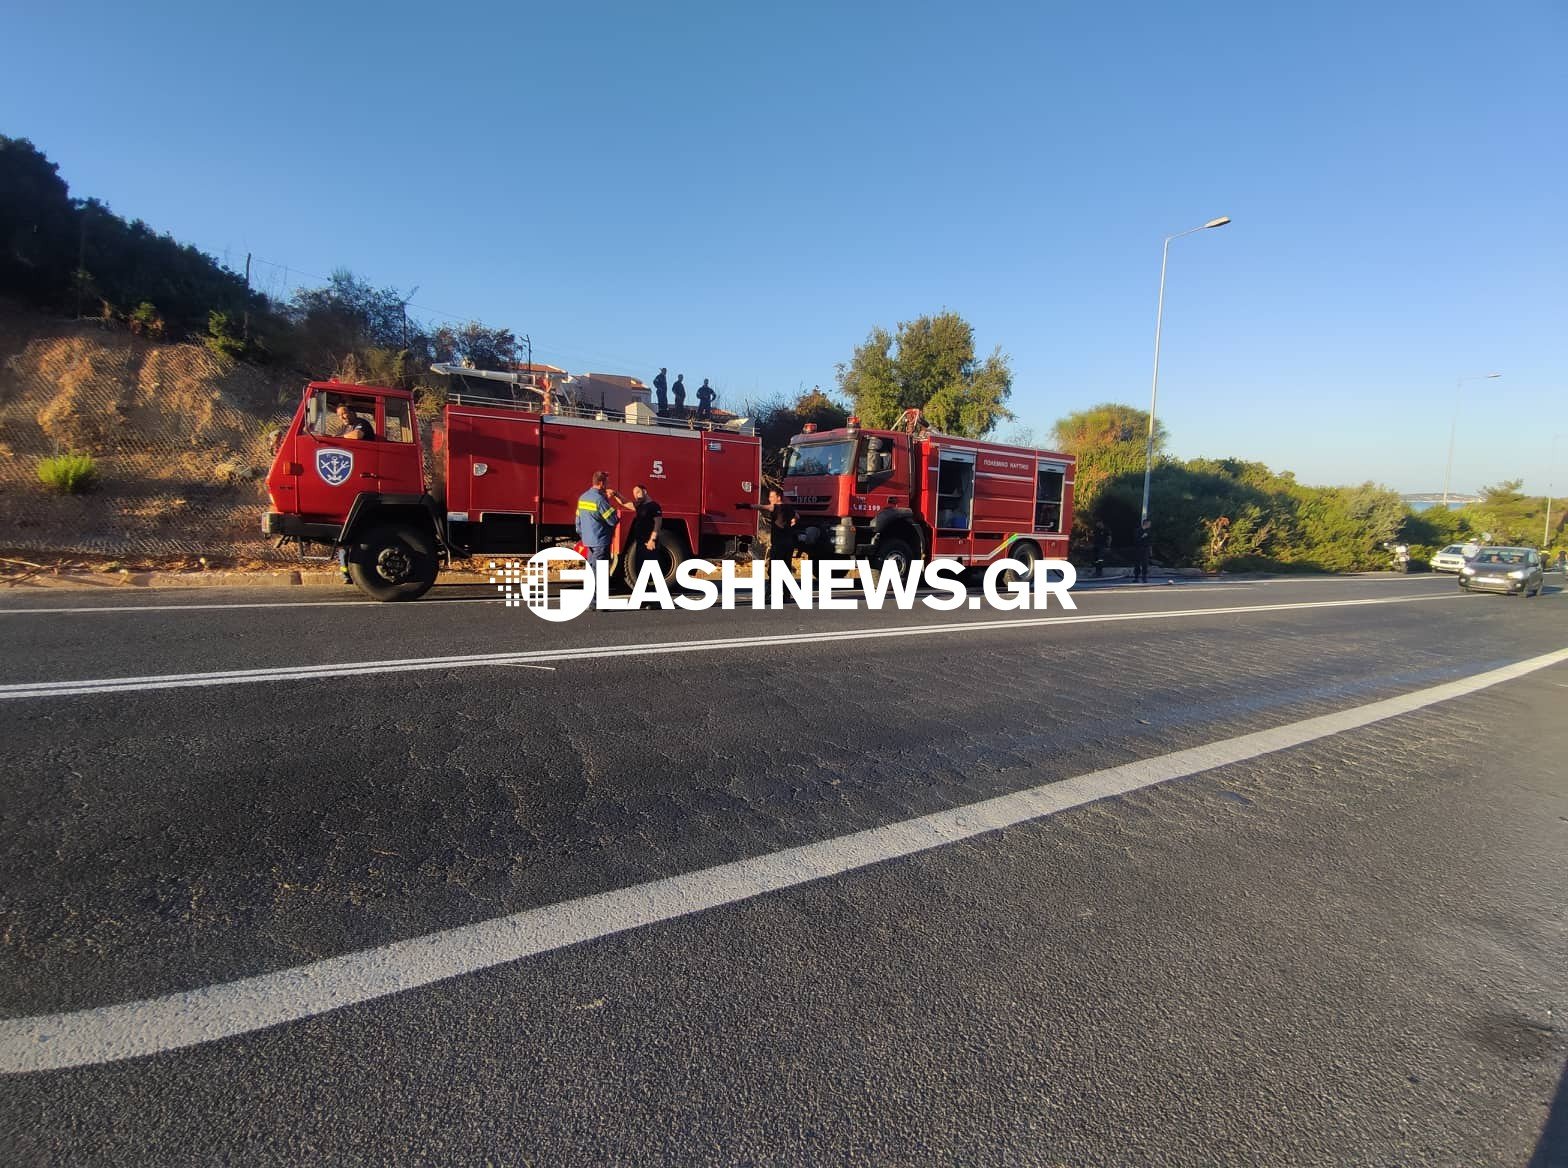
(153, 1026)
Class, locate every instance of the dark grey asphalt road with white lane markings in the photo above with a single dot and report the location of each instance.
(443, 883)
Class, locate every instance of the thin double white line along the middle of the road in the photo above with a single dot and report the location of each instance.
(285, 673)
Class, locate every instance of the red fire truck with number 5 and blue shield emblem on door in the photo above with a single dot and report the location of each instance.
(509, 479)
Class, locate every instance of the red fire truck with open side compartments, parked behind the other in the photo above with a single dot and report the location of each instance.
(913, 493)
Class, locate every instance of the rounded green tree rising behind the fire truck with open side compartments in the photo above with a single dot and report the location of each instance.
(929, 366)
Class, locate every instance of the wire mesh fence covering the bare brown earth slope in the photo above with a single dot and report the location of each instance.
(176, 433)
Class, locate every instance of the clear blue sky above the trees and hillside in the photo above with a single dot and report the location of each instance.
(742, 192)
